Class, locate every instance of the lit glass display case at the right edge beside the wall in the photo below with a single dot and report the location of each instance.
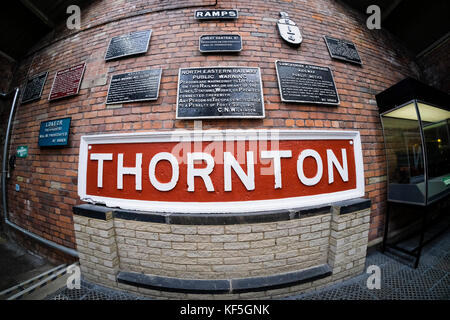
(417, 140)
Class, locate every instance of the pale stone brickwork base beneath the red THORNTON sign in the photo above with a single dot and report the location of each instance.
(223, 251)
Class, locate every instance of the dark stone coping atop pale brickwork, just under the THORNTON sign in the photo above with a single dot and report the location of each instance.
(106, 213)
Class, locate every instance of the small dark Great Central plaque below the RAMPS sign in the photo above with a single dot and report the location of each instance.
(220, 43)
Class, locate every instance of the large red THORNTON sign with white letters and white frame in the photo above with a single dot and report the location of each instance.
(220, 171)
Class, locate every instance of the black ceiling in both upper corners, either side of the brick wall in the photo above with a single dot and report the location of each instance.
(416, 23)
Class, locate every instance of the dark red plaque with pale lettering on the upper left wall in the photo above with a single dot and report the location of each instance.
(67, 82)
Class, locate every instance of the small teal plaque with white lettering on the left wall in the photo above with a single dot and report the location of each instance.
(54, 133)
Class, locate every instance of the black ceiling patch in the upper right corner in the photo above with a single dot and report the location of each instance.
(418, 24)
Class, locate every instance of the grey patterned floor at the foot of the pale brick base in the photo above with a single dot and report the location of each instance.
(399, 281)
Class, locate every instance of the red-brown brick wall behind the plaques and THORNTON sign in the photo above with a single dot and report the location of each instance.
(48, 177)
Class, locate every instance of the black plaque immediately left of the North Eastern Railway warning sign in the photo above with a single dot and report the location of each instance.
(134, 86)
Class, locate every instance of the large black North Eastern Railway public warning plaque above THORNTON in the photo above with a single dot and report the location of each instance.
(220, 92)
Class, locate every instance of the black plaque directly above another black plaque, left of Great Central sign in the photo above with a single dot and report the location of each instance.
(128, 44)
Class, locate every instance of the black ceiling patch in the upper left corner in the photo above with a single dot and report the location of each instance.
(25, 22)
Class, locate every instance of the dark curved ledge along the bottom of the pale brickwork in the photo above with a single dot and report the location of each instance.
(239, 285)
